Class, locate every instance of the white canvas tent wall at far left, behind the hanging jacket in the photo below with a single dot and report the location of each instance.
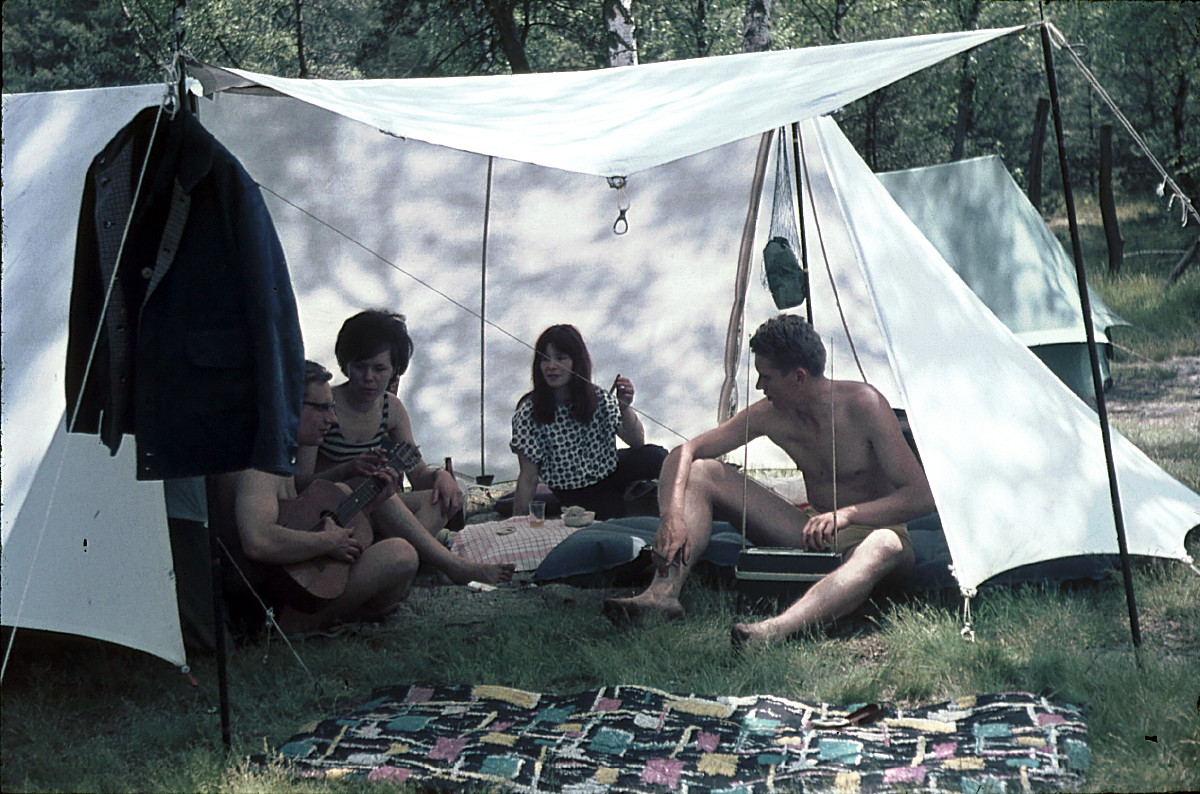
(85, 546)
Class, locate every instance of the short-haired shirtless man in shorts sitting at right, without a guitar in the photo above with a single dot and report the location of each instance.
(878, 488)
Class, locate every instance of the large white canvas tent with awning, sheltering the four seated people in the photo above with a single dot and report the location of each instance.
(397, 220)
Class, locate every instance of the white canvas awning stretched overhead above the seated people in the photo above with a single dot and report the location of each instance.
(625, 121)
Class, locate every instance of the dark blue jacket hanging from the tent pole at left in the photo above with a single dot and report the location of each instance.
(200, 352)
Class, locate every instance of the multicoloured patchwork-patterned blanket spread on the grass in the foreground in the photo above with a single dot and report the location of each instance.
(638, 739)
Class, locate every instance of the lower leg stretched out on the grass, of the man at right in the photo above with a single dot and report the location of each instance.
(837, 595)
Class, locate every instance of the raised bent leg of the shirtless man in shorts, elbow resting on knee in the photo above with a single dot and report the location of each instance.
(771, 520)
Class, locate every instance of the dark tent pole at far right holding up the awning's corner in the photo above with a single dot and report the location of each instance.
(1093, 351)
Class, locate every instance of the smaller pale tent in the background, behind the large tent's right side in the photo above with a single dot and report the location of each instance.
(987, 230)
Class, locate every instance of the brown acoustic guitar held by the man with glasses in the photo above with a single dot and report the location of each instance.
(315, 582)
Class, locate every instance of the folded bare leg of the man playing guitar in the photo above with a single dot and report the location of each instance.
(379, 582)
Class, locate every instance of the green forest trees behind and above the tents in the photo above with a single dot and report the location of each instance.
(1147, 56)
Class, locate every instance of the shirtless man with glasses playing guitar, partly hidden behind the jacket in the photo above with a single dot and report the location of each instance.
(381, 573)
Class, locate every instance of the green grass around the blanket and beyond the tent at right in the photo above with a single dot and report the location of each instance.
(97, 718)
